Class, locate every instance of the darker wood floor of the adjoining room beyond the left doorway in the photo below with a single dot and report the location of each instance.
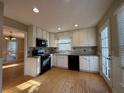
(13, 74)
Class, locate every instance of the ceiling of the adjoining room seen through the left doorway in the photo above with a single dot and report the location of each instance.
(15, 33)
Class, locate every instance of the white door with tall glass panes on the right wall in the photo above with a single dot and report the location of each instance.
(106, 52)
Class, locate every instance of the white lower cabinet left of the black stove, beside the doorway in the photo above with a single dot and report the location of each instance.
(32, 66)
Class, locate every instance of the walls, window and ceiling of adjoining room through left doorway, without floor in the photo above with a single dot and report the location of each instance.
(13, 46)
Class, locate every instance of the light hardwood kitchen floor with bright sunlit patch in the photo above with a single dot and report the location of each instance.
(63, 81)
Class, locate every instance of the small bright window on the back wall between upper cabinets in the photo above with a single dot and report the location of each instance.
(64, 44)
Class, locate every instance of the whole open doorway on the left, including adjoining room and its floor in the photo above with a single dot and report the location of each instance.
(14, 53)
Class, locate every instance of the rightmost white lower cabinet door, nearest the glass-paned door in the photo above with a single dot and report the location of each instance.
(94, 64)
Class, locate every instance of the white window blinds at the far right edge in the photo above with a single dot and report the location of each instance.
(121, 34)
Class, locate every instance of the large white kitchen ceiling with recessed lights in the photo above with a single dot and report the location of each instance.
(57, 13)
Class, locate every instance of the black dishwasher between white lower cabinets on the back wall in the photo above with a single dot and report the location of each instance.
(73, 62)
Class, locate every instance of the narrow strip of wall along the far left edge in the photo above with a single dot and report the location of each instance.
(1, 24)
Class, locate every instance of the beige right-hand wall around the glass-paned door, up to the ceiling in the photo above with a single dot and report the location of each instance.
(115, 65)
